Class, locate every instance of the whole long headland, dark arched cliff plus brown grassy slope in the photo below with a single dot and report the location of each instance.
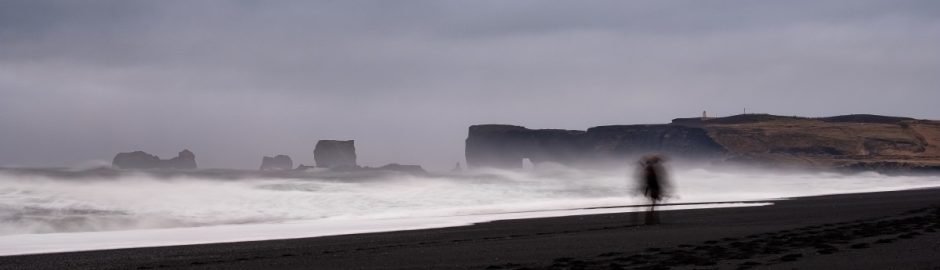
(868, 142)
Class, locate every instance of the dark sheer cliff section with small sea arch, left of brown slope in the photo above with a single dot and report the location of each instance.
(505, 146)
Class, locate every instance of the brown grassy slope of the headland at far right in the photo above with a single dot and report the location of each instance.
(869, 142)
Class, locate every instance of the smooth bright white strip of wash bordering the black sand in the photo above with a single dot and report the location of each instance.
(50, 243)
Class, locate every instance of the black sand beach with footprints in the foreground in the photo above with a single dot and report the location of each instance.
(885, 230)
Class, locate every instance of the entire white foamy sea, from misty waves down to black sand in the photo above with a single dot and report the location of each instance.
(44, 214)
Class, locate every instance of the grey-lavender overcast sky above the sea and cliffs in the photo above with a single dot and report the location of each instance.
(236, 80)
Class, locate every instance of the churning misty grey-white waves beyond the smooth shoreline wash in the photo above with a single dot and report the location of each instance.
(45, 204)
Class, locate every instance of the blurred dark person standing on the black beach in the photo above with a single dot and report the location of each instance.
(654, 185)
